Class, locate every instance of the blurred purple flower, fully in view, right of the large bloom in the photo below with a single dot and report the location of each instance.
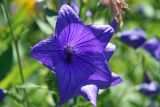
(134, 37)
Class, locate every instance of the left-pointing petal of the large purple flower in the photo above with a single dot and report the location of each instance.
(47, 52)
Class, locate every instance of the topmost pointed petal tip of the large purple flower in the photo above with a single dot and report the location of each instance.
(66, 16)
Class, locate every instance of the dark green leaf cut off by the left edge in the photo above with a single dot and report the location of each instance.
(6, 60)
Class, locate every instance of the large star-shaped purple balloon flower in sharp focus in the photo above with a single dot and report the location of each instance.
(77, 55)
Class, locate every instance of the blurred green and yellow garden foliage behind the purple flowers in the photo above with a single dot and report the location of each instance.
(31, 21)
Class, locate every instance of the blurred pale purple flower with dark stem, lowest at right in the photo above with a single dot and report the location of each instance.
(149, 87)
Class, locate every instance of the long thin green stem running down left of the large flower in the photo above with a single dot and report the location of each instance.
(17, 52)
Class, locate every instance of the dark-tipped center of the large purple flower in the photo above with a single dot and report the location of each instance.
(69, 51)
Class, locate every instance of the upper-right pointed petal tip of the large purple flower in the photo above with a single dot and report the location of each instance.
(104, 32)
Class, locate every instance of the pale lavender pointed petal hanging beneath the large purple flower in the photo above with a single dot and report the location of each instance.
(90, 93)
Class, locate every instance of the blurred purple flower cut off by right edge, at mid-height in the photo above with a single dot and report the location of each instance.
(153, 47)
